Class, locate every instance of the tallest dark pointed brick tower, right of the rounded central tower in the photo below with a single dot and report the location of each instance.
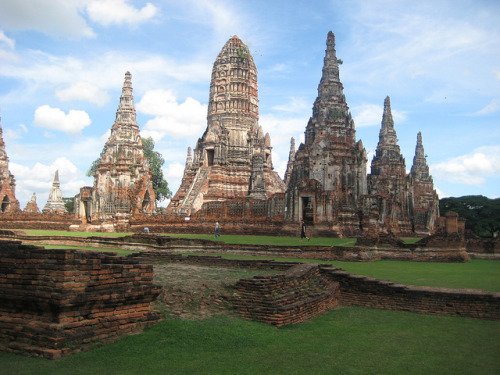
(329, 172)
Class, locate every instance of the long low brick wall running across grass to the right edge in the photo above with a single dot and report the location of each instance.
(380, 294)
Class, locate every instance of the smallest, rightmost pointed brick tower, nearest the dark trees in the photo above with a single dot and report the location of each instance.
(424, 201)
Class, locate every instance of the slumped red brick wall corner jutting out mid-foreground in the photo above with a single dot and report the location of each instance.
(295, 296)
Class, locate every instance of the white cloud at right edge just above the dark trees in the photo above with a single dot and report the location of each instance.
(470, 169)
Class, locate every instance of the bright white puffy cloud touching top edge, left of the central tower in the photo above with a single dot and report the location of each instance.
(108, 12)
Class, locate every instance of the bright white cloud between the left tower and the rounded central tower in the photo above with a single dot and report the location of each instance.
(179, 120)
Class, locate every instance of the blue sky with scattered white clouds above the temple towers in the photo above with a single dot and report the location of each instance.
(62, 66)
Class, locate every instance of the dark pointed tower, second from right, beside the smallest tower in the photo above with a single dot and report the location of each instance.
(386, 205)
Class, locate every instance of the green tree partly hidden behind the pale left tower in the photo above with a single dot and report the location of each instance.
(156, 161)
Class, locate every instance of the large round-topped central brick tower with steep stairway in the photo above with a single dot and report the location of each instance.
(232, 159)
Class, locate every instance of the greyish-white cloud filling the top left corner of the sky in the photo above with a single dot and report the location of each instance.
(55, 18)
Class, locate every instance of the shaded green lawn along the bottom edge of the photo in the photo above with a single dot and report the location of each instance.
(343, 341)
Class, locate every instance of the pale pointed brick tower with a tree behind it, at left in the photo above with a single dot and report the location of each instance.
(123, 182)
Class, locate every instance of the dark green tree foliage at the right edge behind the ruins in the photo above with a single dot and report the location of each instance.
(482, 214)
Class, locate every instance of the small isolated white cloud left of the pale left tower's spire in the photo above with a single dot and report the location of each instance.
(55, 119)
